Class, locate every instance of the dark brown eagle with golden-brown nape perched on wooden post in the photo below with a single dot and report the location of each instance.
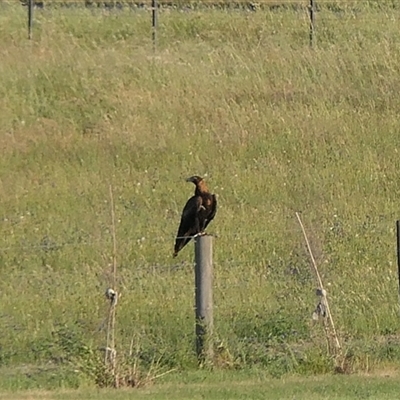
(198, 212)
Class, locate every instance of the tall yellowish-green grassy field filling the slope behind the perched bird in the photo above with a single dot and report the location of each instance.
(277, 128)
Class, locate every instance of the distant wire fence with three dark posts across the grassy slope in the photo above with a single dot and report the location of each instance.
(317, 13)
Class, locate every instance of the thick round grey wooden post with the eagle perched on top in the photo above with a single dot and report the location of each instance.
(204, 298)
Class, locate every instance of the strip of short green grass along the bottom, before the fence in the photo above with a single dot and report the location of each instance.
(237, 385)
